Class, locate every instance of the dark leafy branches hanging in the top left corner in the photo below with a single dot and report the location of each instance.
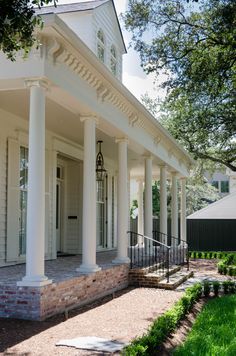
(17, 25)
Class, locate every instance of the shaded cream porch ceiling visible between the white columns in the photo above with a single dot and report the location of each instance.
(63, 119)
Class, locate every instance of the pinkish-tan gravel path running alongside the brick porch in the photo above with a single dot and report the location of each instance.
(121, 318)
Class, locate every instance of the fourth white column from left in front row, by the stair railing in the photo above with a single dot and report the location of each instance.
(148, 200)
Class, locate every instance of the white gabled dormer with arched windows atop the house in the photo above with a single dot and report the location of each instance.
(96, 24)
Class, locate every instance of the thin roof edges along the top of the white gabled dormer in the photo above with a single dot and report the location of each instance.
(81, 6)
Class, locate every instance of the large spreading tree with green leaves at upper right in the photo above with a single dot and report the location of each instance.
(195, 47)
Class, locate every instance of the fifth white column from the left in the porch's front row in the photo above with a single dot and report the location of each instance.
(163, 204)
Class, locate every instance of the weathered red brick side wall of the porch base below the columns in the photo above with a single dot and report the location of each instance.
(43, 302)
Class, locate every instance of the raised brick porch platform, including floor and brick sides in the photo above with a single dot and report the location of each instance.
(68, 289)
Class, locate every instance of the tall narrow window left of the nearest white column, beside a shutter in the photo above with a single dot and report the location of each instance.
(23, 198)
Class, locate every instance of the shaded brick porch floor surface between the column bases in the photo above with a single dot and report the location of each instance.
(57, 270)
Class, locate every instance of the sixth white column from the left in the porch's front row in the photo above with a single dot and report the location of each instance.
(174, 209)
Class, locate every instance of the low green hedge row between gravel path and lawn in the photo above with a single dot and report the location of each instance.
(164, 325)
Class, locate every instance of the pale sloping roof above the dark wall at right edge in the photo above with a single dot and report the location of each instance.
(224, 208)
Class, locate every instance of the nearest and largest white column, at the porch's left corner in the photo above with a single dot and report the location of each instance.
(36, 189)
